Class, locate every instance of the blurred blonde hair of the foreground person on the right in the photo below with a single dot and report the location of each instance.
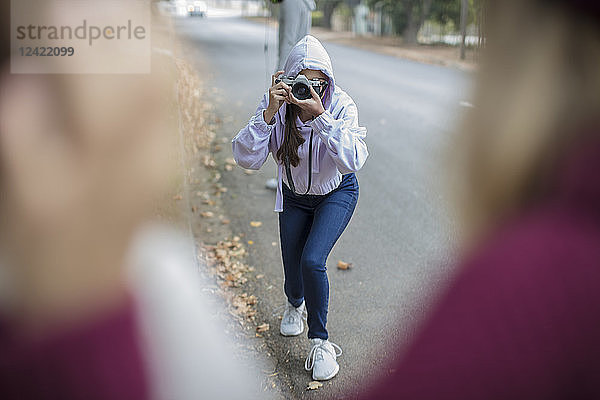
(538, 86)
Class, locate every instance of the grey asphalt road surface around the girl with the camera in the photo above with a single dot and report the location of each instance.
(400, 236)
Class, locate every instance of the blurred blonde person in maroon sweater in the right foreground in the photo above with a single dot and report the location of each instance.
(521, 320)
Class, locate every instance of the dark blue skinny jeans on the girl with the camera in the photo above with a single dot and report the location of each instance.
(309, 226)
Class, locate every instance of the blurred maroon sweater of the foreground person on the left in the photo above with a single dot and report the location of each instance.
(97, 360)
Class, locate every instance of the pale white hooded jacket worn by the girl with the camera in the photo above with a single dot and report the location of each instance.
(338, 143)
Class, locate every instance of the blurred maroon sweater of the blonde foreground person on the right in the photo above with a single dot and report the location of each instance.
(522, 318)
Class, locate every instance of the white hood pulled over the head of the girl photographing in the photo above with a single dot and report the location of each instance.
(309, 53)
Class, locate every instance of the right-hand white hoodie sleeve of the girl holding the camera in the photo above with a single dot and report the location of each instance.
(343, 137)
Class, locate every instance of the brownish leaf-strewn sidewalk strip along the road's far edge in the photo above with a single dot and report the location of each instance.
(447, 56)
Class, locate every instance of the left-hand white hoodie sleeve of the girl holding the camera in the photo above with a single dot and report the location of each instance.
(251, 145)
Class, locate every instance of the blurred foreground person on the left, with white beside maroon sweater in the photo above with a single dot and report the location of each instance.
(90, 306)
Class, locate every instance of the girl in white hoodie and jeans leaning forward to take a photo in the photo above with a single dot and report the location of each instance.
(318, 146)
